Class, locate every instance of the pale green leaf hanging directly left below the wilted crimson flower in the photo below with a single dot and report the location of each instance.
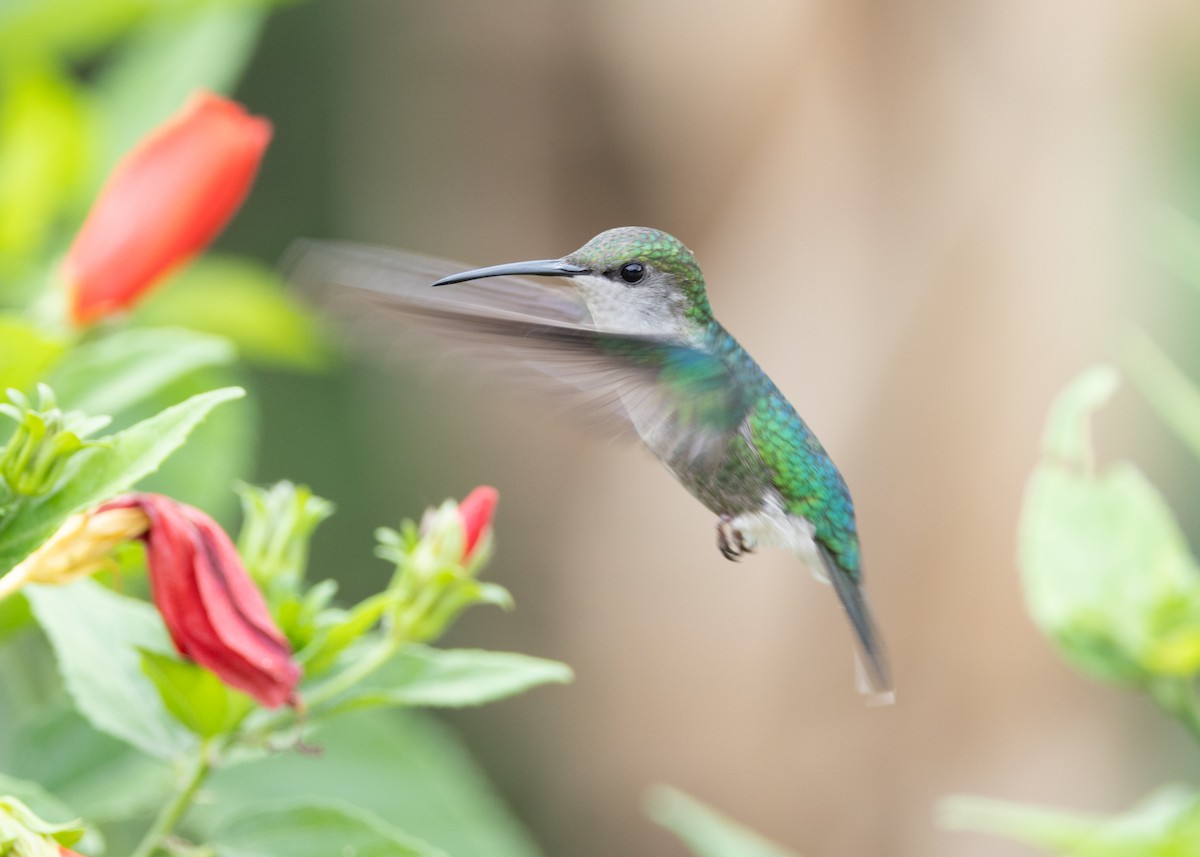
(97, 637)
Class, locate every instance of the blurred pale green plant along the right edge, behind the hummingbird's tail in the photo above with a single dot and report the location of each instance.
(1111, 580)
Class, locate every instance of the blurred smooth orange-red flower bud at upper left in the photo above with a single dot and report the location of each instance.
(164, 203)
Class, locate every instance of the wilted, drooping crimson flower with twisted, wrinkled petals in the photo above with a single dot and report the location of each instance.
(215, 614)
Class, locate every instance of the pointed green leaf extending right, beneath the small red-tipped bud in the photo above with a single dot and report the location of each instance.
(454, 679)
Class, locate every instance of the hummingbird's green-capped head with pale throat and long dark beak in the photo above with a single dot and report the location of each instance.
(634, 279)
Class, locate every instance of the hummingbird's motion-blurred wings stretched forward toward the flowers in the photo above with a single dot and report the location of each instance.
(517, 326)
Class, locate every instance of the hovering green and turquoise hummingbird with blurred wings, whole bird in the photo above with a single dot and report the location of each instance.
(634, 333)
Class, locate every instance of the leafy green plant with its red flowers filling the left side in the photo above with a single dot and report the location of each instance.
(105, 714)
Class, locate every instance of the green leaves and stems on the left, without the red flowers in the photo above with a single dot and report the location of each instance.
(125, 723)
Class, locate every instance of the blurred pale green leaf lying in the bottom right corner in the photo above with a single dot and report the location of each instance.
(1165, 825)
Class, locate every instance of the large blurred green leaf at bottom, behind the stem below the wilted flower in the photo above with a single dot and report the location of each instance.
(406, 769)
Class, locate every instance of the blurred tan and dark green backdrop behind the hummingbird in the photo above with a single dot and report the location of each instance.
(917, 214)
